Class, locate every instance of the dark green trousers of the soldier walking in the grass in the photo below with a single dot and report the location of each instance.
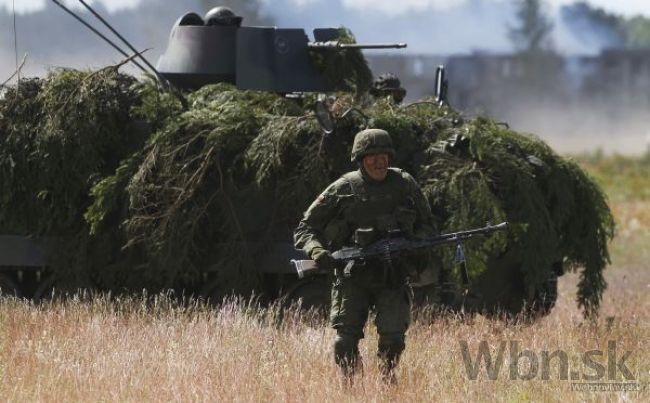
(352, 299)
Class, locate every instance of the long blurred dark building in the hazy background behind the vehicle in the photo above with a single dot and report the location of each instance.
(479, 79)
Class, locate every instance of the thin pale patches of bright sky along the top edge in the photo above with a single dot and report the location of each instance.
(627, 7)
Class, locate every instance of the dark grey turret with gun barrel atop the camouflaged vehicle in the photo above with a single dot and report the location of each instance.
(217, 49)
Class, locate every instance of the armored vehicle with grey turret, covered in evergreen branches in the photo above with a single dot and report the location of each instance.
(203, 195)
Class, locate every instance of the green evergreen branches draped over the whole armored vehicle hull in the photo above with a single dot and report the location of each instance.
(138, 193)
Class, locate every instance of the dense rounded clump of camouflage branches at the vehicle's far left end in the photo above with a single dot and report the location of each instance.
(59, 136)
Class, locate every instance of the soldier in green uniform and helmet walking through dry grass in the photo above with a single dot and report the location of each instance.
(363, 206)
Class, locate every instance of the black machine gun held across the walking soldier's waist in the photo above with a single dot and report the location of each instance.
(385, 248)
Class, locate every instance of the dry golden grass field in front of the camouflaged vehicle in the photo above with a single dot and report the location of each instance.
(128, 350)
